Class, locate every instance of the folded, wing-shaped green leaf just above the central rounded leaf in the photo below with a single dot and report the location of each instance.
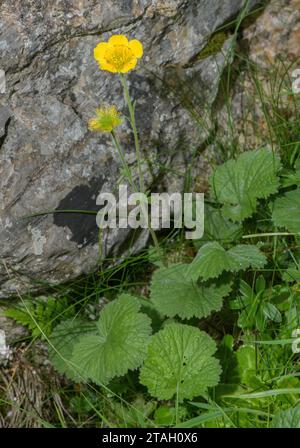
(212, 259)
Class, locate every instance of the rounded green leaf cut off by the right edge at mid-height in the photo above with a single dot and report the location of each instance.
(286, 211)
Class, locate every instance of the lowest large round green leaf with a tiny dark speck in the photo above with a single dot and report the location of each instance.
(180, 361)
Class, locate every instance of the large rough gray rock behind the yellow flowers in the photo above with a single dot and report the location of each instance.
(48, 158)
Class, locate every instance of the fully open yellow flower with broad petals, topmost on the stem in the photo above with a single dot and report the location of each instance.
(118, 55)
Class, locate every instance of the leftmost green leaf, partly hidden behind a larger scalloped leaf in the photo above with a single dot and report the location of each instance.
(62, 342)
